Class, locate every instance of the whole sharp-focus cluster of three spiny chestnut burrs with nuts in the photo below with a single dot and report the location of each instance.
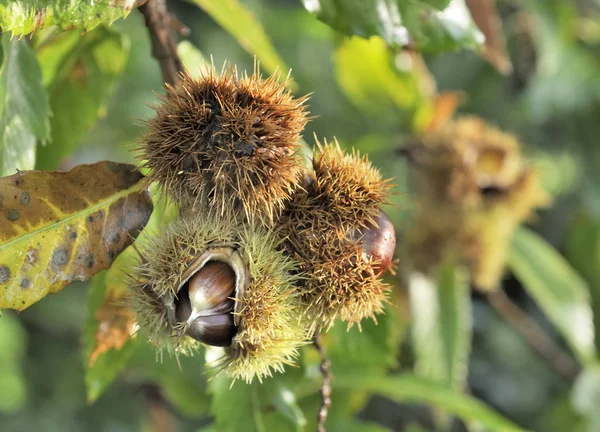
(265, 251)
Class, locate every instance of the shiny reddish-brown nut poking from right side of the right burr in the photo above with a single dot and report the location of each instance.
(379, 240)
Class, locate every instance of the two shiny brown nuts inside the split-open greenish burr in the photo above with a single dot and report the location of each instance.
(206, 306)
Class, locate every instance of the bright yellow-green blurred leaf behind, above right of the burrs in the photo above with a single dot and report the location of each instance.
(366, 72)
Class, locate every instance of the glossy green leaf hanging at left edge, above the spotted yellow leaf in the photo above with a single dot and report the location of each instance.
(24, 107)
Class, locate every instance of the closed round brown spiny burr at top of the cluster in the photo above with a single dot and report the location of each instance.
(228, 141)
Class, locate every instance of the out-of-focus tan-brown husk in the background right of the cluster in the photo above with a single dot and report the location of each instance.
(473, 189)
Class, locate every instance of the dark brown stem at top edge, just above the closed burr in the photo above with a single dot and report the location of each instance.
(164, 49)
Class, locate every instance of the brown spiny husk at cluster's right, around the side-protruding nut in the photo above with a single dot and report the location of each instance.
(342, 194)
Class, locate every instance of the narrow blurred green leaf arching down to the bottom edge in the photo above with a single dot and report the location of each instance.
(412, 389)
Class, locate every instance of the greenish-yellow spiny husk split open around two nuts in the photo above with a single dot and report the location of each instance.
(266, 312)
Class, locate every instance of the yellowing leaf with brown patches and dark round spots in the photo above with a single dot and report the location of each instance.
(56, 228)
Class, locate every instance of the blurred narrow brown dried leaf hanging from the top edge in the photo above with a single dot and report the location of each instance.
(486, 17)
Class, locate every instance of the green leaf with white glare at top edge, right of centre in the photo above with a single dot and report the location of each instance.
(402, 22)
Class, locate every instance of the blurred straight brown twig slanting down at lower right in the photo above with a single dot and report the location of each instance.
(533, 334)
